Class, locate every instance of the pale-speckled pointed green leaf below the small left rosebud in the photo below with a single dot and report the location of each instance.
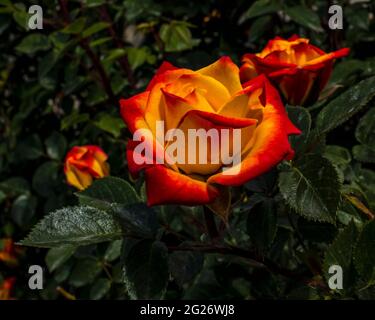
(73, 225)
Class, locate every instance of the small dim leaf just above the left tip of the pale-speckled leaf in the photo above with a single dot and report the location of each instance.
(23, 209)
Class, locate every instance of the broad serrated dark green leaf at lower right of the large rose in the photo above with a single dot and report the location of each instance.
(312, 188)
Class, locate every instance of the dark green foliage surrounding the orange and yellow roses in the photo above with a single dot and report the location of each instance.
(60, 87)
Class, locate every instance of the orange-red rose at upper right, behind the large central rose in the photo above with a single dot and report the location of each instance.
(299, 69)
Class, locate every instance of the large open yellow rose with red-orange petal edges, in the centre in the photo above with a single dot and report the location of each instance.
(211, 97)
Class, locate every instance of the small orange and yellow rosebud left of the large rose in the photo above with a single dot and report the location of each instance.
(85, 163)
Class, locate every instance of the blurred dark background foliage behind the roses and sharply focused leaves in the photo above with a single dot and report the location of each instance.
(60, 87)
